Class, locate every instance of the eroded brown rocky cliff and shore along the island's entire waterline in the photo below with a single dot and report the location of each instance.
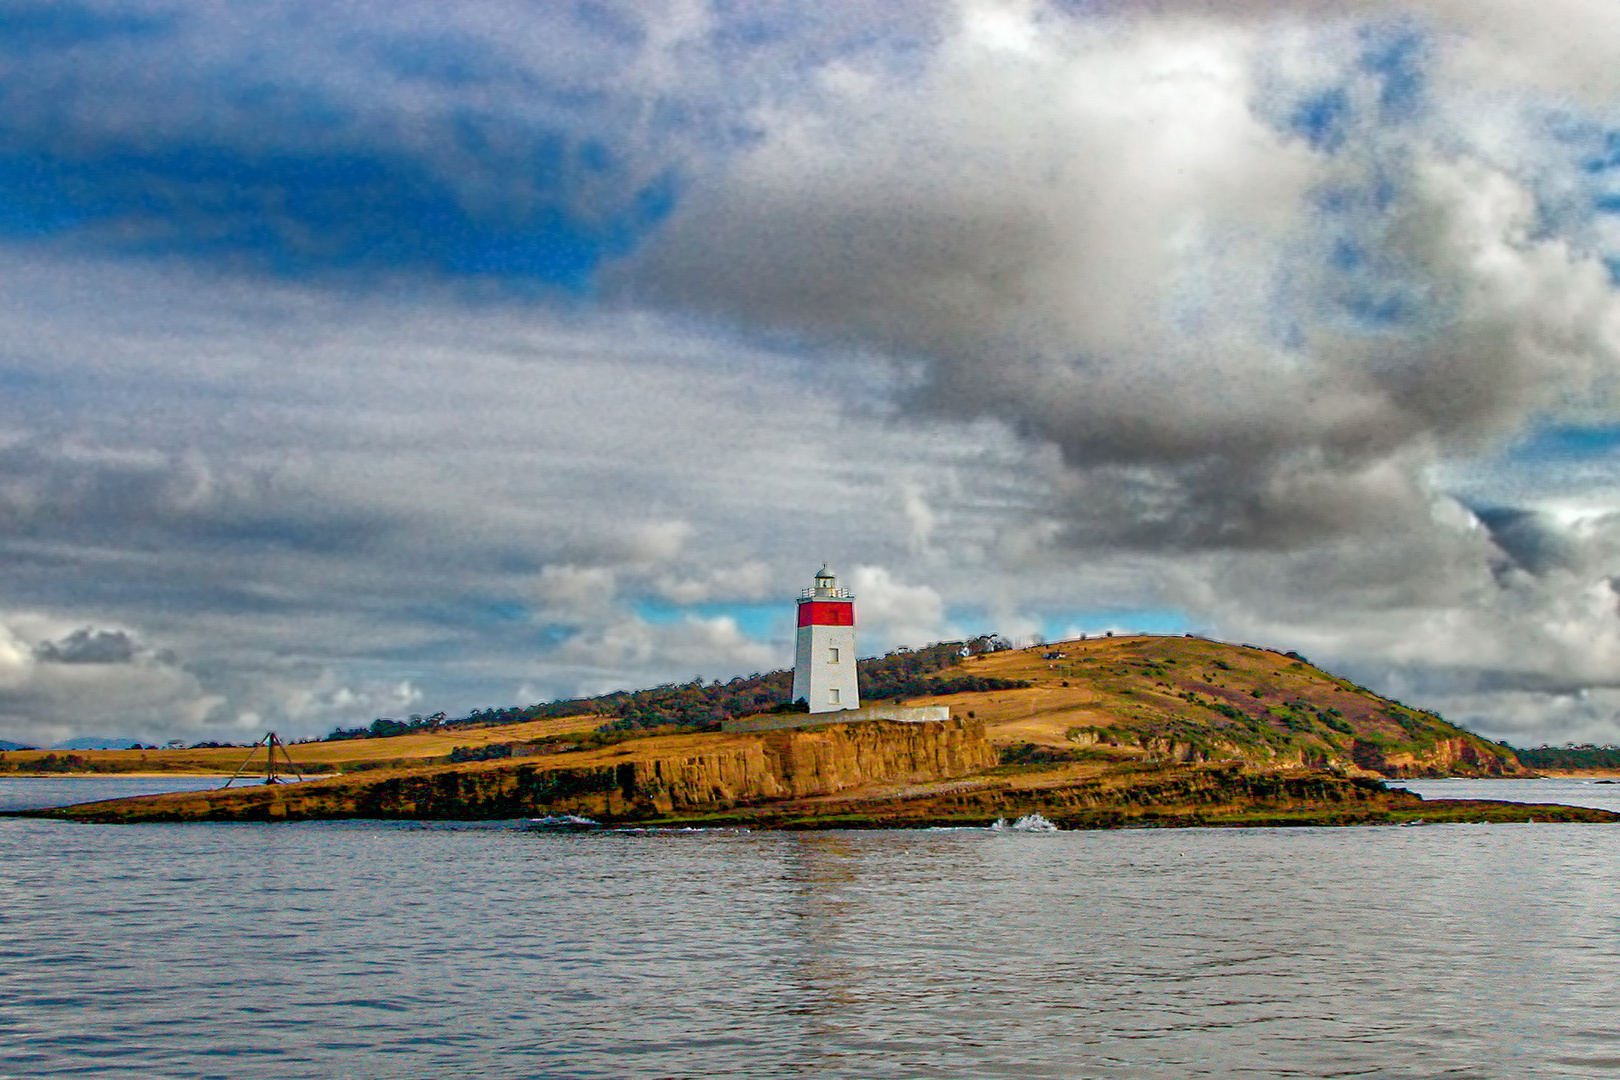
(868, 775)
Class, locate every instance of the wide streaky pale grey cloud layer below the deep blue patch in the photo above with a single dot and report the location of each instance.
(313, 500)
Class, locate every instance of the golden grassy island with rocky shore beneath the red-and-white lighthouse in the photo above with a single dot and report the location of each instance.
(1135, 731)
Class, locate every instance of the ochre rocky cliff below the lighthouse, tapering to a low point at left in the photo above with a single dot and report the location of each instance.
(701, 773)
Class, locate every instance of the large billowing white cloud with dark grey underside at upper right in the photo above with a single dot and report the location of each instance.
(1238, 323)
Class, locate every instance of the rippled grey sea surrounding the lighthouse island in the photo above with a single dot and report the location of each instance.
(385, 950)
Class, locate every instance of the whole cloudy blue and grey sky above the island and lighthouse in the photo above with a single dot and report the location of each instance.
(375, 360)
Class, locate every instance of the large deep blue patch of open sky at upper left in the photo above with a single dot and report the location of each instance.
(309, 213)
